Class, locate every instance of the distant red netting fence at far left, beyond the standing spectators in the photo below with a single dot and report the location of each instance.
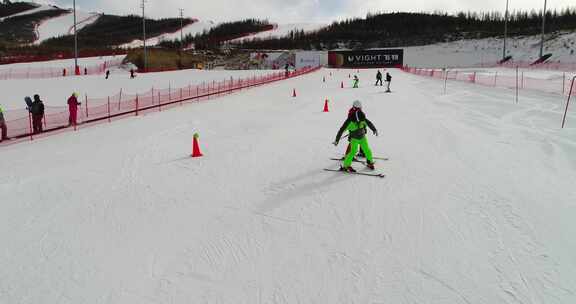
(54, 72)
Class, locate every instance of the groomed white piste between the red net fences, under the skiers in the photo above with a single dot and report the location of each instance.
(477, 206)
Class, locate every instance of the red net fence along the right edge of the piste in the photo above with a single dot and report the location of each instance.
(518, 82)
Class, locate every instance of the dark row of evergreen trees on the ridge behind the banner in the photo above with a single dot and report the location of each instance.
(407, 29)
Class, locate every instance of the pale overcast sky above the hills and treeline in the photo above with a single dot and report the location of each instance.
(289, 11)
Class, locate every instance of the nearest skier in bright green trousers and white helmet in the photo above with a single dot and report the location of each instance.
(356, 125)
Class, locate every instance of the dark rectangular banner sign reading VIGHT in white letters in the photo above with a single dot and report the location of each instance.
(366, 59)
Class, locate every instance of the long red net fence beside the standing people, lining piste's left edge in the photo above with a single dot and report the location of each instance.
(95, 110)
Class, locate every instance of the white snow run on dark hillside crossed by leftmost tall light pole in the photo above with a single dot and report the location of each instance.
(64, 25)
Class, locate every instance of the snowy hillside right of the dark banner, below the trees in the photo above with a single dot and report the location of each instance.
(465, 53)
